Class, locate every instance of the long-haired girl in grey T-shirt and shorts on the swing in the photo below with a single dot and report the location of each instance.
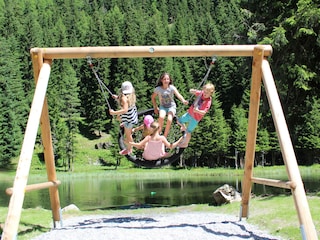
(165, 91)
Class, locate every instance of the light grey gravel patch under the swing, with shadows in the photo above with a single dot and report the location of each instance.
(180, 225)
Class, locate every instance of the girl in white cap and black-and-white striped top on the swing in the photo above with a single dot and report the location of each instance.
(128, 113)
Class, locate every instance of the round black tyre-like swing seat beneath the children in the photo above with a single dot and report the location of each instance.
(139, 161)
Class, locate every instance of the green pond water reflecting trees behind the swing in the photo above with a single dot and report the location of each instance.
(100, 192)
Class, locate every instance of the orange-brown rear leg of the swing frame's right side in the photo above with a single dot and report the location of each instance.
(255, 93)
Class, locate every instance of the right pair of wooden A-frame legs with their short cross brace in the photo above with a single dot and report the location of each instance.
(261, 70)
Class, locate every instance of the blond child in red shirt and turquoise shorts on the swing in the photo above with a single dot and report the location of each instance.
(196, 111)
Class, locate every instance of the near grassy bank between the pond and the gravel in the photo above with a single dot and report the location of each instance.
(277, 215)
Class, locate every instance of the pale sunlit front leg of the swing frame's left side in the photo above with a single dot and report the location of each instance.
(18, 192)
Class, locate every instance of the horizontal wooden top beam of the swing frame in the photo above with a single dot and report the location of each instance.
(151, 51)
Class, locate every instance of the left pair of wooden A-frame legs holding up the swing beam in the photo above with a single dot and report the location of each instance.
(39, 110)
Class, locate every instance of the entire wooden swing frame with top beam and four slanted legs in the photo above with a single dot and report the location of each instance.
(261, 72)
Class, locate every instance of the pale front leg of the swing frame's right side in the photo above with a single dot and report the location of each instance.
(307, 227)
